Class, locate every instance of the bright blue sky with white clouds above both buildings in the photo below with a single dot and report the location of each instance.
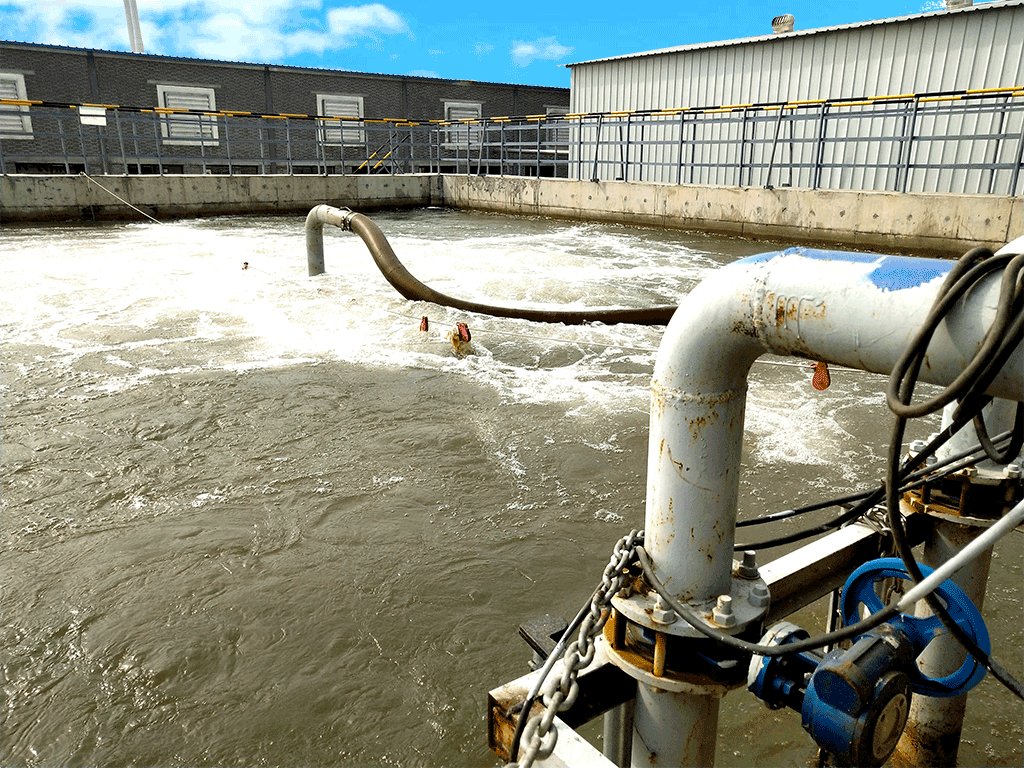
(524, 42)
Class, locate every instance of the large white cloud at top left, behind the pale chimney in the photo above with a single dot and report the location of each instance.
(263, 31)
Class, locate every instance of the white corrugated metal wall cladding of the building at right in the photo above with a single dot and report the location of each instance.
(977, 49)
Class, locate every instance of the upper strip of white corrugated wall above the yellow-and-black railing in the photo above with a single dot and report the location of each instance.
(984, 49)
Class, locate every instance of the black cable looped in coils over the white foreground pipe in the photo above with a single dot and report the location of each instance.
(1001, 342)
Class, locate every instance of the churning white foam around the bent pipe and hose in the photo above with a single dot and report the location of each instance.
(157, 301)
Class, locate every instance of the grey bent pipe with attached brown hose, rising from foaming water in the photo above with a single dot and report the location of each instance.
(414, 290)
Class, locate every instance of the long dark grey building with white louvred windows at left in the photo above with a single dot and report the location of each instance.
(295, 101)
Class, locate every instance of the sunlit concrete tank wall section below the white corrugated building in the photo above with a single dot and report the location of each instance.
(921, 224)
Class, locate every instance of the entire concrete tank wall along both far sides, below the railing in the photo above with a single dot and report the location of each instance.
(937, 225)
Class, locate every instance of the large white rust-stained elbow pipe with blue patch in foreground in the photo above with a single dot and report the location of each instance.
(849, 310)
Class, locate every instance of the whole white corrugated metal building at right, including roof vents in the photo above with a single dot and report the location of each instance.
(956, 50)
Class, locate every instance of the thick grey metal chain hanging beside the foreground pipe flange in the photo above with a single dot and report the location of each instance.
(561, 693)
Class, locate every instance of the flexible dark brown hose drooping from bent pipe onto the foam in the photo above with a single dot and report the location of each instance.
(407, 285)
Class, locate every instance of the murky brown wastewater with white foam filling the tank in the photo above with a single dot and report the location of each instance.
(252, 518)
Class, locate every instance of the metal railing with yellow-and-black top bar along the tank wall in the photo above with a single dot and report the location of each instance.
(964, 143)
